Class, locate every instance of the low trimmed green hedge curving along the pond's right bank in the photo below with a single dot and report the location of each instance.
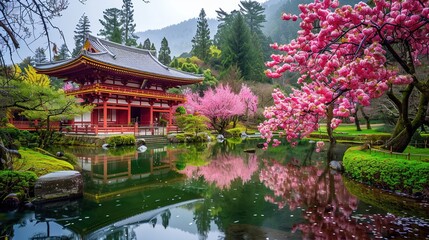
(407, 176)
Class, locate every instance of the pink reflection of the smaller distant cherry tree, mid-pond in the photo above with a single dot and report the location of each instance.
(224, 169)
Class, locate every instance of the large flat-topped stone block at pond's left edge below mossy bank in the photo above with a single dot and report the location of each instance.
(58, 185)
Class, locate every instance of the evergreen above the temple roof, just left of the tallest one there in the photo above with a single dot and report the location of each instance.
(112, 25)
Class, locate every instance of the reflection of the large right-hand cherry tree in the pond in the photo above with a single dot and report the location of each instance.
(328, 207)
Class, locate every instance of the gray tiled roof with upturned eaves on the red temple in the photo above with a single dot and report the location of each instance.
(126, 57)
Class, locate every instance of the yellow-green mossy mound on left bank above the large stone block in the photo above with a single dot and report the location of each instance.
(39, 163)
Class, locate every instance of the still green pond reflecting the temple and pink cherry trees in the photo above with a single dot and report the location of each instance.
(219, 191)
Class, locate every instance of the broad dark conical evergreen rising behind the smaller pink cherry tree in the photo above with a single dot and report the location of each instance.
(239, 49)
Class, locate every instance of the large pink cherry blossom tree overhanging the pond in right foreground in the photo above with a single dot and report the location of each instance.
(349, 55)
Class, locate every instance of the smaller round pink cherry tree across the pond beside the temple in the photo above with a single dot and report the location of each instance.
(221, 105)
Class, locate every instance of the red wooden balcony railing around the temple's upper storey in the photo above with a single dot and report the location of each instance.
(126, 91)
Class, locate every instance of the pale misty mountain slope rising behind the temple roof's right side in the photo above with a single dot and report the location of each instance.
(179, 36)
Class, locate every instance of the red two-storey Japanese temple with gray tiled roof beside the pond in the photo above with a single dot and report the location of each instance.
(128, 87)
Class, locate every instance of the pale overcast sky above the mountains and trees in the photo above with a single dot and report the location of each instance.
(156, 14)
